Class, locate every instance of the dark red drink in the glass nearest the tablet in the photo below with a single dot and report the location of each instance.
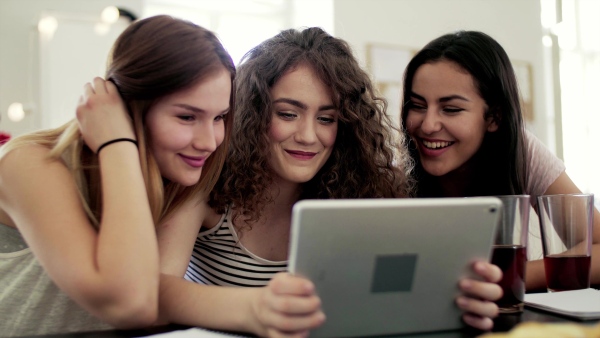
(511, 260)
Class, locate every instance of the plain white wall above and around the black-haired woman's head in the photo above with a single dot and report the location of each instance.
(515, 24)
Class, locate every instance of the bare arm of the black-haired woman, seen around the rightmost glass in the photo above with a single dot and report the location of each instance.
(535, 274)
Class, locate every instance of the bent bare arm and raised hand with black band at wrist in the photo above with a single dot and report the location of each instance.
(111, 272)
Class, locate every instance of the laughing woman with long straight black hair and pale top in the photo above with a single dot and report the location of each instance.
(462, 114)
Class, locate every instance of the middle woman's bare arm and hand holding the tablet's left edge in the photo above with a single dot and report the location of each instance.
(288, 304)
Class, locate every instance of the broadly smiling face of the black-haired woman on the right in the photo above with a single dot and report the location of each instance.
(446, 117)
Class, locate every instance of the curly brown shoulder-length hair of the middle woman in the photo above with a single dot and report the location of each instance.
(369, 159)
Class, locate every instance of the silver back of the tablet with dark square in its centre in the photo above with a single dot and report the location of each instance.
(385, 266)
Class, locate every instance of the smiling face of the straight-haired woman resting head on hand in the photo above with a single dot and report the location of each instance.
(187, 127)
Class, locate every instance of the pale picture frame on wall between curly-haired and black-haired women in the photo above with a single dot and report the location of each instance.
(387, 63)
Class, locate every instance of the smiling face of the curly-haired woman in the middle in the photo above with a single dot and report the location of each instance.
(304, 125)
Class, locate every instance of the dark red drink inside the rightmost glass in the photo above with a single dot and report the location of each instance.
(567, 272)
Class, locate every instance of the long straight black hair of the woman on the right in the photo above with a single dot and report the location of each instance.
(500, 162)
